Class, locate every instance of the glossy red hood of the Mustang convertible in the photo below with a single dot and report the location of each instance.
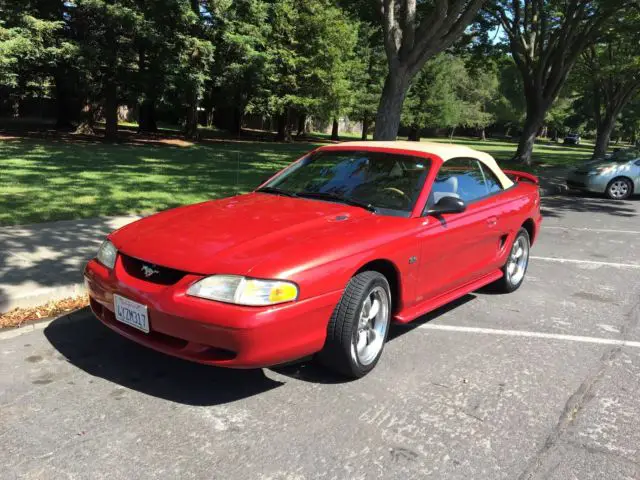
(232, 235)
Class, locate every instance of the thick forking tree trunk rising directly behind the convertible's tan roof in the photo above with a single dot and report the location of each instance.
(413, 32)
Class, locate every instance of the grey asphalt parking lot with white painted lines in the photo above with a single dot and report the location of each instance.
(542, 383)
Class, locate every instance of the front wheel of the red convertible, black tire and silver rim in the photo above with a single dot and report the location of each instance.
(352, 325)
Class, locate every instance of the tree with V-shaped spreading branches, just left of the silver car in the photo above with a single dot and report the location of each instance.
(546, 37)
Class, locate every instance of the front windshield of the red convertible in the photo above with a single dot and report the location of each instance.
(389, 182)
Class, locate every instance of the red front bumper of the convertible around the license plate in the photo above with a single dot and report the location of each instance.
(210, 332)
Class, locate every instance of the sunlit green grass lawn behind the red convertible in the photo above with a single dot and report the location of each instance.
(44, 180)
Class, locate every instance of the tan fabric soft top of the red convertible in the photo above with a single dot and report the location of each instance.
(446, 151)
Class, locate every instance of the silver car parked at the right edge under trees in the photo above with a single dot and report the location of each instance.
(617, 175)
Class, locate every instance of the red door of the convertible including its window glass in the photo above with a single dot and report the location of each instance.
(459, 248)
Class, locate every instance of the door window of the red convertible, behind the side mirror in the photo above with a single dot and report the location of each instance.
(460, 178)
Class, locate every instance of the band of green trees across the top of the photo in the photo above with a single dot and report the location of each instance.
(502, 67)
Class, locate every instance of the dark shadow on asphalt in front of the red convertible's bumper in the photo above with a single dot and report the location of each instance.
(92, 347)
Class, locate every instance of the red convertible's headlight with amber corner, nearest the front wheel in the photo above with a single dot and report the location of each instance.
(244, 291)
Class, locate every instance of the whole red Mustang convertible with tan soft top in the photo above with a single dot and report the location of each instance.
(320, 258)
